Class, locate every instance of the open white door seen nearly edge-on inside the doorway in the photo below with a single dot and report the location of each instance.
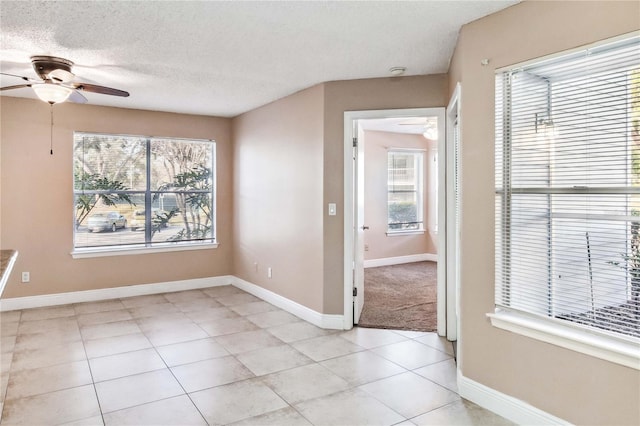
(360, 227)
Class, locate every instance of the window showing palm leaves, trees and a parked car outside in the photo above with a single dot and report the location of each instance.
(134, 192)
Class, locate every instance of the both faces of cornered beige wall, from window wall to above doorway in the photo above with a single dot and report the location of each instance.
(288, 165)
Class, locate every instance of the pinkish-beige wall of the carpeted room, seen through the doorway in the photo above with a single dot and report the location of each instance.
(377, 242)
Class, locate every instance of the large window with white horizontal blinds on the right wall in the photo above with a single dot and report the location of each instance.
(568, 190)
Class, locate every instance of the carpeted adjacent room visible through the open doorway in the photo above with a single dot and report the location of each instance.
(400, 211)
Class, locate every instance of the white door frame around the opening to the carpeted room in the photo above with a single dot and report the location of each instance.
(350, 118)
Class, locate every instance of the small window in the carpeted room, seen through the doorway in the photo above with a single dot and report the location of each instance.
(405, 191)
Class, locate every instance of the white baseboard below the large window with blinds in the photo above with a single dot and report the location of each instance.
(507, 406)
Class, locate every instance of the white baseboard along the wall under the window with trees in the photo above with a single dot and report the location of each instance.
(28, 302)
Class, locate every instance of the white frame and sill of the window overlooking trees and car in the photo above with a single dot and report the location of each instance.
(154, 247)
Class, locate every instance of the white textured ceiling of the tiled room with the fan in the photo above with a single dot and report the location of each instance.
(225, 58)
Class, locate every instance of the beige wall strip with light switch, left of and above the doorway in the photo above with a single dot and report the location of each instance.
(358, 95)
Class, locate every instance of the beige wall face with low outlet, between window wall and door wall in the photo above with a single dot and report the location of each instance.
(278, 205)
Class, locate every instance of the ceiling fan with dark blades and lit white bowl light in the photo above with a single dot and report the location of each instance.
(56, 83)
